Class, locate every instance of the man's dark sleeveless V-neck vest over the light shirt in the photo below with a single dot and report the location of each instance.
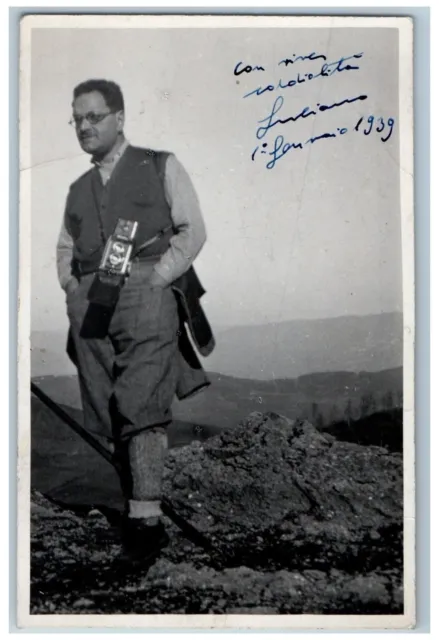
(135, 192)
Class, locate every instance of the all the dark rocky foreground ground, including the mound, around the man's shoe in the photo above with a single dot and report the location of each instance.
(280, 518)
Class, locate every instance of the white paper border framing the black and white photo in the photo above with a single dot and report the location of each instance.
(218, 622)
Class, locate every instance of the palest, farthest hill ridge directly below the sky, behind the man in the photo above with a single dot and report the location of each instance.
(278, 350)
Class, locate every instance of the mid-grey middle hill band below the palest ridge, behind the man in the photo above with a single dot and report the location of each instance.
(322, 397)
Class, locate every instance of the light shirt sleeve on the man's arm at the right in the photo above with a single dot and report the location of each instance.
(190, 230)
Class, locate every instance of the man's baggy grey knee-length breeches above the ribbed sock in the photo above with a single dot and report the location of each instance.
(127, 359)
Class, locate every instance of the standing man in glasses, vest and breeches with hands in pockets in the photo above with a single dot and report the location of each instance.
(130, 356)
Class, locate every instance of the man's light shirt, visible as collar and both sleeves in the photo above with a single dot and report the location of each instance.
(190, 231)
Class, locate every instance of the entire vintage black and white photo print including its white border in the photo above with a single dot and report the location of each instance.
(216, 322)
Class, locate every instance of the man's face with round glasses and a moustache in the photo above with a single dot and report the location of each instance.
(98, 138)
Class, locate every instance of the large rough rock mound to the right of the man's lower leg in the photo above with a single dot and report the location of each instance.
(278, 493)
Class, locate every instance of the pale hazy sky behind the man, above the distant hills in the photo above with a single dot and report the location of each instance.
(316, 236)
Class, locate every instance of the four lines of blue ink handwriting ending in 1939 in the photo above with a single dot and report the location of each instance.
(278, 116)
